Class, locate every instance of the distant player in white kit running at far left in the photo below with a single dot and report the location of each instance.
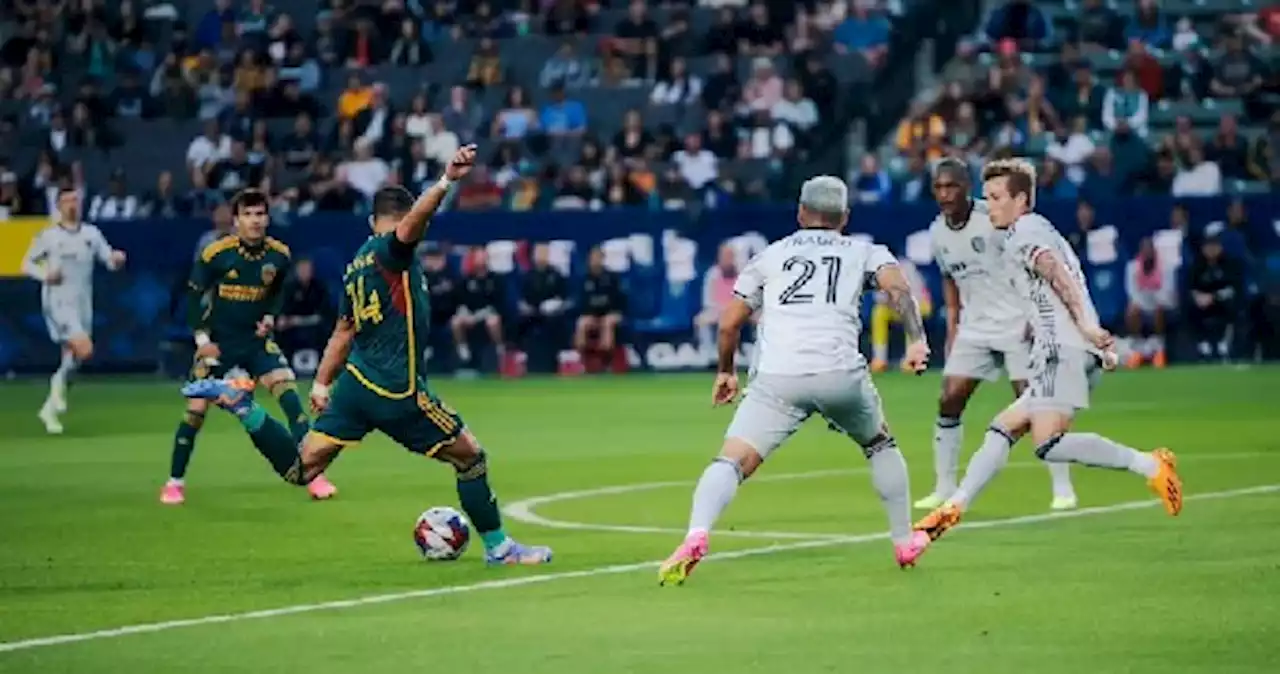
(62, 259)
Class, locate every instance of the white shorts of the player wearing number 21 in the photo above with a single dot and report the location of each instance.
(776, 406)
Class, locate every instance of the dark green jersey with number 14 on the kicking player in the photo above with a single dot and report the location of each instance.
(386, 300)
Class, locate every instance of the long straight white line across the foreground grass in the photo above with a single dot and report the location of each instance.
(566, 576)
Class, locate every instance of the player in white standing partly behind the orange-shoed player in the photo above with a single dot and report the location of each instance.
(988, 324)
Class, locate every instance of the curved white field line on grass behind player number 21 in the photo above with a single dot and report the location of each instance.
(524, 512)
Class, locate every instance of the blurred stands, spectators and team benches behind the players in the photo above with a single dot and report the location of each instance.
(636, 155)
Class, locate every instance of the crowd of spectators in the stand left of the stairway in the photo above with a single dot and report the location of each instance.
(243, 66)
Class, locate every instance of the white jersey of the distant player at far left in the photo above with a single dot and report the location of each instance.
(74, 254)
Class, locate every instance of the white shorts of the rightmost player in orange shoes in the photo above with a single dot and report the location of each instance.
(1062, 380)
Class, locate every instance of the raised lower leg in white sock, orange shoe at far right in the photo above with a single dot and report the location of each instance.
(1159, 467)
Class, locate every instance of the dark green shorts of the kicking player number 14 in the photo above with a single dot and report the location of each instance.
(420, 423)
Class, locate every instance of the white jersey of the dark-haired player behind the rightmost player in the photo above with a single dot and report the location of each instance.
(991, 306)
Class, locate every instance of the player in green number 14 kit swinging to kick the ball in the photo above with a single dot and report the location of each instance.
(371, 378)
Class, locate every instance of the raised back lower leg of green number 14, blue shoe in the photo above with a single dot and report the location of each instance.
(271, 438)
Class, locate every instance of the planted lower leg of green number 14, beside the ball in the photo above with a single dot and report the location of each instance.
(479, 503)
